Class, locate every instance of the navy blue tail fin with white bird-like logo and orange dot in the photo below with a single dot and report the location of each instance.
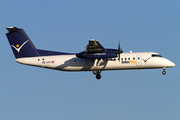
(20, 43)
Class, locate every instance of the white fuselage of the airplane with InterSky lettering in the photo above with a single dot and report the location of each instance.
(140, 60)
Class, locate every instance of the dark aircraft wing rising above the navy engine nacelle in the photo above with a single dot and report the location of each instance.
(94, 46)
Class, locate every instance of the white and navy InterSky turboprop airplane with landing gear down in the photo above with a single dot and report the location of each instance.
(95, 58)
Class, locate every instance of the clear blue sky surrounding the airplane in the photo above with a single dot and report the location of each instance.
(31, 93)
